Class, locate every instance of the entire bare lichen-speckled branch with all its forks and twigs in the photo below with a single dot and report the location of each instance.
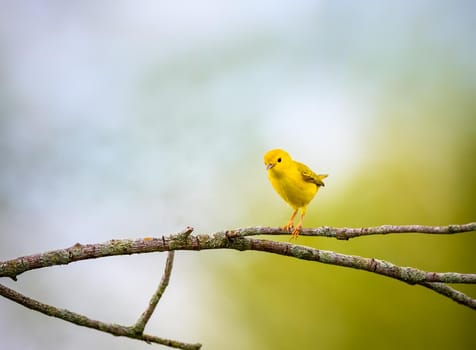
(237, 239)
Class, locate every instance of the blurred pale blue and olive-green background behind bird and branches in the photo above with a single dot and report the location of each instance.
(124, 119)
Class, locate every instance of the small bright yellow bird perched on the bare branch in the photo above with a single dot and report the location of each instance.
(294, 182)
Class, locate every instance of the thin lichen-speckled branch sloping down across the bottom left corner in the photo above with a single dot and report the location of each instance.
(84, 321)
